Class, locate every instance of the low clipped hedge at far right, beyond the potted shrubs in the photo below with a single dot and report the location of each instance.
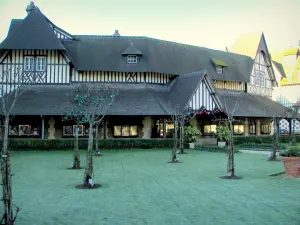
(262, 139)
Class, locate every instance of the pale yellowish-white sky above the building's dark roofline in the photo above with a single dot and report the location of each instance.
(210, 23)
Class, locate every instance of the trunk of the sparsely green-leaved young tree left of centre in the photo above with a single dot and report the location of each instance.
(89, 160)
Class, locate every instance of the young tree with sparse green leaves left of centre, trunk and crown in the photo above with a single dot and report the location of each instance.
(94, 102)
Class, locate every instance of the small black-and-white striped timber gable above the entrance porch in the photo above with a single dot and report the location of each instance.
(204, 96)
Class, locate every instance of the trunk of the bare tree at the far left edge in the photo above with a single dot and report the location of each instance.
(6, 177)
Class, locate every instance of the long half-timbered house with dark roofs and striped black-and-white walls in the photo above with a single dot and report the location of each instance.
(149, 74)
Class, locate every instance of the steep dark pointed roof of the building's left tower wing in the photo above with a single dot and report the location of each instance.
(34, 32)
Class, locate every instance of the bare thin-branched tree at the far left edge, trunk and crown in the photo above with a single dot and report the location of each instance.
(13, 85)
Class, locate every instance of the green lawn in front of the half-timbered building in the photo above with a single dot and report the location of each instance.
(139, 187)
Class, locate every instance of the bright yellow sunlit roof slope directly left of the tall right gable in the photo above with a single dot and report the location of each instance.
(247, 45)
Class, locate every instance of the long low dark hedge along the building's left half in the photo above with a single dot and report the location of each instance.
(65, 144)
